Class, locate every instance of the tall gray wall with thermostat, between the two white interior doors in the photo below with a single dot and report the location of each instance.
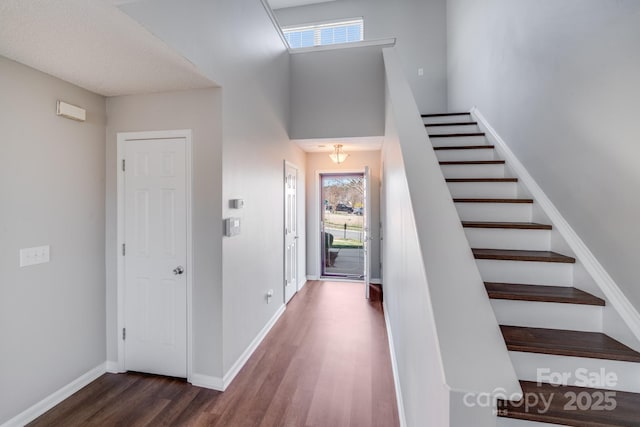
(251, 64)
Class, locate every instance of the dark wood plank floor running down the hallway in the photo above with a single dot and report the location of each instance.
(325, 363)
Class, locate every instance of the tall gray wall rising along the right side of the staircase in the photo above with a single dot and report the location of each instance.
(559, 82)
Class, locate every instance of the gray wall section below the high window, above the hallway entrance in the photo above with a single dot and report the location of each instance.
(337, 93)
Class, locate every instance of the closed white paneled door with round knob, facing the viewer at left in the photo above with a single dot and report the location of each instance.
(155, 251)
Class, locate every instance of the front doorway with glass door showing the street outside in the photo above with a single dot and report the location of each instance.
(343, 225)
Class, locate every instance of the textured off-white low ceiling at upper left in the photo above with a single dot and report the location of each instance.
(94, 45)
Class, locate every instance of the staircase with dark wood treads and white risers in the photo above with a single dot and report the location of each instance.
(571, 373)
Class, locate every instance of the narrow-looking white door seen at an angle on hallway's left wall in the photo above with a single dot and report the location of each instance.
(290, 231)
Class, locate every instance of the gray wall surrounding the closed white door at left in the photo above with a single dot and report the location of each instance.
(200, 111)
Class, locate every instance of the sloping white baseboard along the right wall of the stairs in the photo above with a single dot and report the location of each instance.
(609, 287)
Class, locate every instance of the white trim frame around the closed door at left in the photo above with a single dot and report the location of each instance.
(122, 138)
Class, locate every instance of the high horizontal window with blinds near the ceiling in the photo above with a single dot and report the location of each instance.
(345, 31)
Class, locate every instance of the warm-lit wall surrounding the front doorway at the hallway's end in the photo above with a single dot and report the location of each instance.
(320, 162)
